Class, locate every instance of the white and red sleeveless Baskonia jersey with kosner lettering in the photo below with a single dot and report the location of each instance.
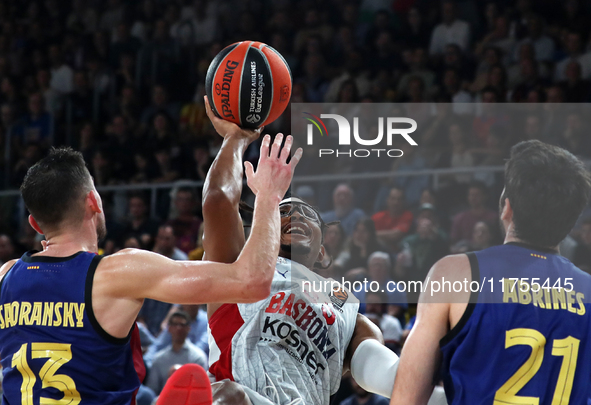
(295, 340)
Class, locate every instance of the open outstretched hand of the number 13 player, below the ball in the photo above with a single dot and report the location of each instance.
(273, 174)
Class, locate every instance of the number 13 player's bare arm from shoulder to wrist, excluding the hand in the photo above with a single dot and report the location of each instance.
(124, 279)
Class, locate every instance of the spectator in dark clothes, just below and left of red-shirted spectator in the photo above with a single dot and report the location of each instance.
(362, 243)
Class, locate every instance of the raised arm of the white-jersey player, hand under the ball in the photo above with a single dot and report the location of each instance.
(223, 231)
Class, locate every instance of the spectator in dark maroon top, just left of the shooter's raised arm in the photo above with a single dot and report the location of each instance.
(186, 224)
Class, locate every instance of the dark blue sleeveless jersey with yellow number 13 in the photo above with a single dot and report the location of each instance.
(53, 350)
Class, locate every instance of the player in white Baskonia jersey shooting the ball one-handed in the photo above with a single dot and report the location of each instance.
(294, 346)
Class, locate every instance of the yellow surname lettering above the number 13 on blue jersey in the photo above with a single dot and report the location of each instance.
(57, 314)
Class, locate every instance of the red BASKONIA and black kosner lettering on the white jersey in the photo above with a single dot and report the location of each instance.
(307, 322)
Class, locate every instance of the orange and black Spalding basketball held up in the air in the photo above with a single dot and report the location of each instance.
(249, 84)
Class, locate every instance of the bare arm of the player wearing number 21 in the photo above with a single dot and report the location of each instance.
(420, 356)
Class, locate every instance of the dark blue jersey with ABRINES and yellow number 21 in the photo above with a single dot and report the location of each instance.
(521, 342)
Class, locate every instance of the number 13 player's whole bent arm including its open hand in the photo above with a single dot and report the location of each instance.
(141, 274)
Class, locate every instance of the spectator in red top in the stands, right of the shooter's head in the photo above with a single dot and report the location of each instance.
(395, 221)
